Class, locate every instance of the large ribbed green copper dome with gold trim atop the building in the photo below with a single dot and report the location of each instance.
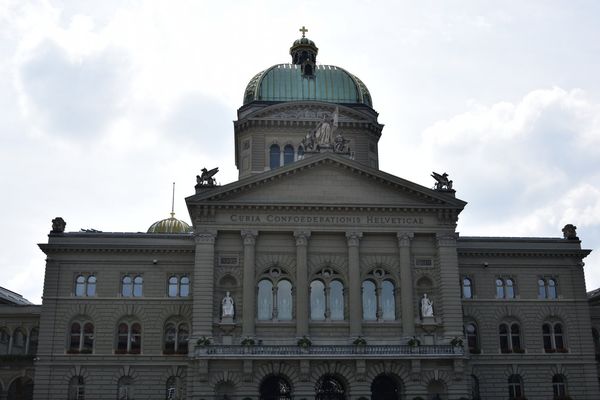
(286, 82)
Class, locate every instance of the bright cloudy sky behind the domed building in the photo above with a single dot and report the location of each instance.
(103, 104)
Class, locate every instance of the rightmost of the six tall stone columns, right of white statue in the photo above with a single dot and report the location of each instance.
(449, 276)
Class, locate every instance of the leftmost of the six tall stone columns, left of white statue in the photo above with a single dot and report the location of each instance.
(203, 283)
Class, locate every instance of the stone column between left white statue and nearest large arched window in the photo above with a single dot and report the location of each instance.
(249, 284)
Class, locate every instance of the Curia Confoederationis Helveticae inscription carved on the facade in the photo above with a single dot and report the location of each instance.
(324, 219)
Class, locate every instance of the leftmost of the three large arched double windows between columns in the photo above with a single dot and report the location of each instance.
(274, 300)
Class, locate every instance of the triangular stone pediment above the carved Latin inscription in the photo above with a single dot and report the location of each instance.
(327, 180)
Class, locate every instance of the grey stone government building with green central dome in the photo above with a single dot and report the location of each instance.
(315, 275)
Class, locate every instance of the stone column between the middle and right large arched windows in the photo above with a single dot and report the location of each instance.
(355, 288)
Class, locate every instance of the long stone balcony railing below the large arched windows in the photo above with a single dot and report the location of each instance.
(328, 352)
